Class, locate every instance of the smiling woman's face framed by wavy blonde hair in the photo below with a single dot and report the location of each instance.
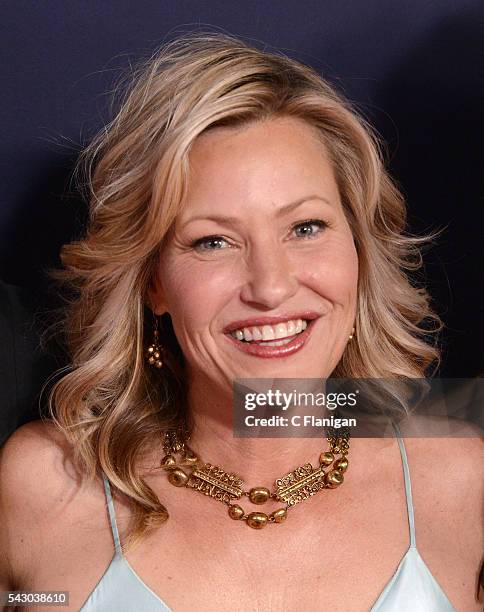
(259, 272)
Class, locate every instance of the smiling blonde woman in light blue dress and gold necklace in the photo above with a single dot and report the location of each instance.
(243, 203)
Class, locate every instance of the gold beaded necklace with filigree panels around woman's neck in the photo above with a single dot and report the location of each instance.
(293, 488)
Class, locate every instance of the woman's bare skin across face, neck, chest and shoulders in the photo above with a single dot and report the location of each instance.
(338, 549)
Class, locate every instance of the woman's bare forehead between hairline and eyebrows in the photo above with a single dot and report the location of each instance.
(261, 163)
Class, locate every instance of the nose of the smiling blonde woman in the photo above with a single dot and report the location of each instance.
(271, 280)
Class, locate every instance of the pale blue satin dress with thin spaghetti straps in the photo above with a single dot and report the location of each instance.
(412, 587)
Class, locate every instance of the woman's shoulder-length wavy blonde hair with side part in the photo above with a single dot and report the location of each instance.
(109, 404)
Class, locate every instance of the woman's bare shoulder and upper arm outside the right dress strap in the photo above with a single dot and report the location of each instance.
(447, 478)
